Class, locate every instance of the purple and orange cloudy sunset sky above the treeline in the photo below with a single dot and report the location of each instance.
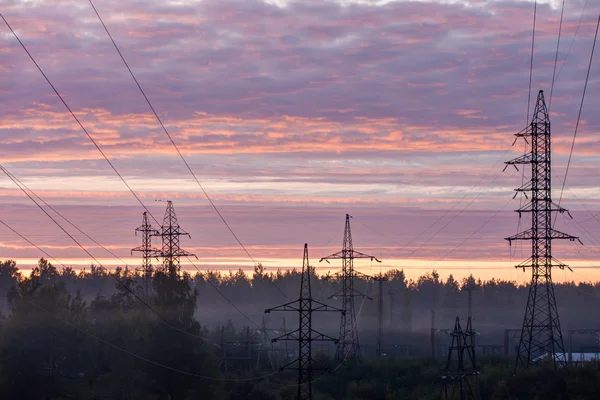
(292, 114)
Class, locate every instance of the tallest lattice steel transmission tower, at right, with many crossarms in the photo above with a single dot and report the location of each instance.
(541, 337)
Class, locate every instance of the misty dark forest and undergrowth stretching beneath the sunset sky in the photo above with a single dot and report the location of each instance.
(98, 335)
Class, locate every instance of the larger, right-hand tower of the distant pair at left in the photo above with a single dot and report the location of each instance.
(170, 252)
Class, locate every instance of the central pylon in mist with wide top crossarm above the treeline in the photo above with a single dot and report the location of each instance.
(348, 345)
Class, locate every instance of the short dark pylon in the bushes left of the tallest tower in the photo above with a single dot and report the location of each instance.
(461, 380)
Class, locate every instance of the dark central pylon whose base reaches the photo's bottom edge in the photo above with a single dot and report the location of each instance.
(305, 334)
